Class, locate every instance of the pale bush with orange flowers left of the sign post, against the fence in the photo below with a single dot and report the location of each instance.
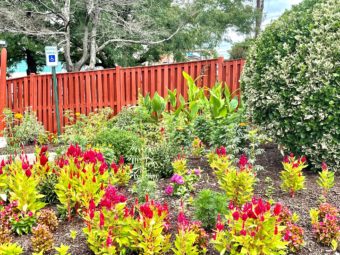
(21, 129)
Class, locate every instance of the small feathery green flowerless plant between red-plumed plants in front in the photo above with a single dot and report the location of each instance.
(208, 205)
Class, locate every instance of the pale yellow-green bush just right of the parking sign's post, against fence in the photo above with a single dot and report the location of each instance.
(83, 129)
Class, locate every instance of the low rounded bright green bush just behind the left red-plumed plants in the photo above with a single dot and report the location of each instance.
(121, 142)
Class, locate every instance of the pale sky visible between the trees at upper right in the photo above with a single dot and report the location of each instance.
(272, 10)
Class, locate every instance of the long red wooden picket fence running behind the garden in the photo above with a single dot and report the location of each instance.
(84, 92)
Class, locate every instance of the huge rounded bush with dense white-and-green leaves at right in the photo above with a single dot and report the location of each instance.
(291, 81)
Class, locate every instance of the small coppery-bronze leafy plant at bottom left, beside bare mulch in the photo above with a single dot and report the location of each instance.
(42, 239)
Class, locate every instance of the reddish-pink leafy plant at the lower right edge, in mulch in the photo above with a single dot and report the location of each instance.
(326, 224)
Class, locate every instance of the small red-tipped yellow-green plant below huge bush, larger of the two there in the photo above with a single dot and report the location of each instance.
(292, 177)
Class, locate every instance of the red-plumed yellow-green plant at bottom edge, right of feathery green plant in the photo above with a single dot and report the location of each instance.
(253, 228)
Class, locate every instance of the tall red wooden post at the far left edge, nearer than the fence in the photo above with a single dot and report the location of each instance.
(3, 67)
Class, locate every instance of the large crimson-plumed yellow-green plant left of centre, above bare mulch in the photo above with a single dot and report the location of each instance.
(82, 177)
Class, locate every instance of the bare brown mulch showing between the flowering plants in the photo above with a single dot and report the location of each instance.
(270, 160)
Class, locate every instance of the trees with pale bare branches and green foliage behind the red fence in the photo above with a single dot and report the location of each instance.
(123, 32)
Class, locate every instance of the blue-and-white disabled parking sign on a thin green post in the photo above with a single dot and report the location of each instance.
(51, 53)
